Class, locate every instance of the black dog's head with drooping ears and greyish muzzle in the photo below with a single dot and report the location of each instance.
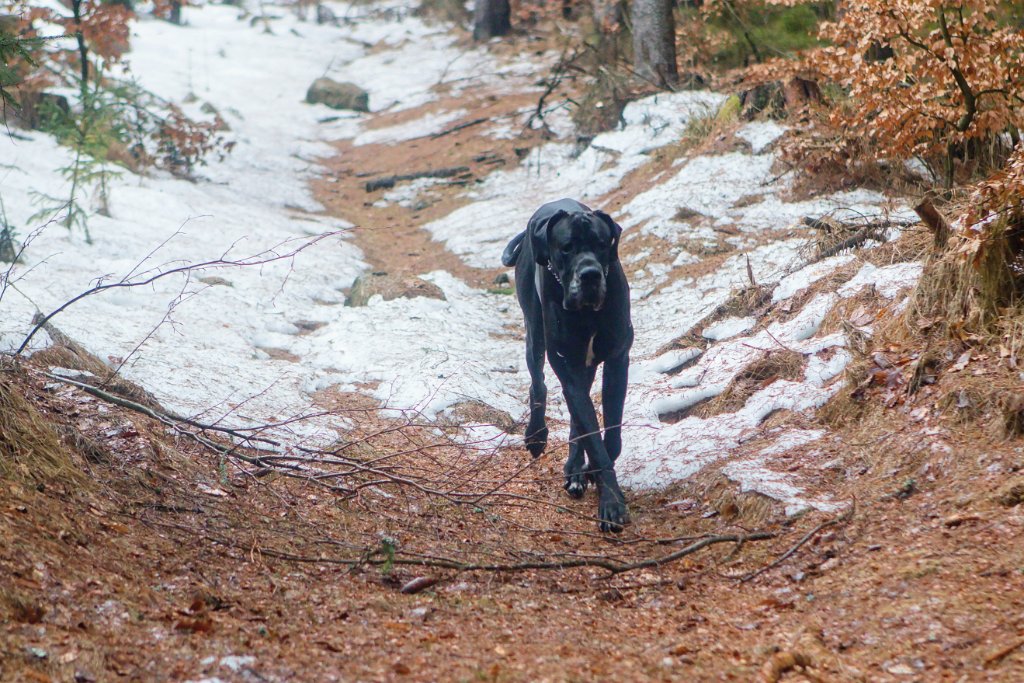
(578, 248)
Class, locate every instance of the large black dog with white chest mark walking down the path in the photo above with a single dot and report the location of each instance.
(576, 303)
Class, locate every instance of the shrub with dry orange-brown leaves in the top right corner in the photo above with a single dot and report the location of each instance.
(938, 80)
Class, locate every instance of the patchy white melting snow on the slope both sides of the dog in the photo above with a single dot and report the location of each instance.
(258, 343)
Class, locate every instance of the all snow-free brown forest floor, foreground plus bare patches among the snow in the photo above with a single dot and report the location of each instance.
(142, 556)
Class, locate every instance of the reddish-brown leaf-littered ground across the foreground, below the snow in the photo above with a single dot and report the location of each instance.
(162, 566)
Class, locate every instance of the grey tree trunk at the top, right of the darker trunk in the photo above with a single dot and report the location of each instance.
(655, 42)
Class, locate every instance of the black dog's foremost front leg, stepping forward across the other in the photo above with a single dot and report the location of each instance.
(612, 503)
